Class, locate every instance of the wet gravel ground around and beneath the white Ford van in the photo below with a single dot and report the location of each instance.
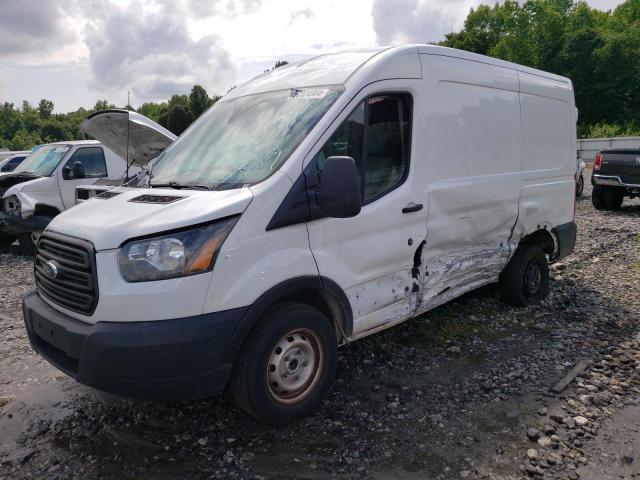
(462, 392)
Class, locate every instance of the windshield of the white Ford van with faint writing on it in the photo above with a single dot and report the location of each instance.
(242, 141)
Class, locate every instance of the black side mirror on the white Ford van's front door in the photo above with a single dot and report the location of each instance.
(339, 188)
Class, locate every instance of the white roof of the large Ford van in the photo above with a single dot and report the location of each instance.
(383, 62)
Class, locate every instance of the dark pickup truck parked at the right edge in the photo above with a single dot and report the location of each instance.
(616, 174)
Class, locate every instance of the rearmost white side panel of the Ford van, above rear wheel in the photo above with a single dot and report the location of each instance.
(548, 152)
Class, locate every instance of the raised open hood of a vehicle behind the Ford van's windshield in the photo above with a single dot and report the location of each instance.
(147, 139)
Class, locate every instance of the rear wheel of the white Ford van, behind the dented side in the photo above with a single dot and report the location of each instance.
(525, 279)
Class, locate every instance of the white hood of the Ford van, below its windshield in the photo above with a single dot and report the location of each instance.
(108, 223)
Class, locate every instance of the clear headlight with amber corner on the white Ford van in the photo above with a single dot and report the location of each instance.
(175, 254)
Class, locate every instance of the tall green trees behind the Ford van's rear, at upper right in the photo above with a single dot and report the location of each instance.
(599, 51)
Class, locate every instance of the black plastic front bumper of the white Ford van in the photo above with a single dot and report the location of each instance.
(161, 360)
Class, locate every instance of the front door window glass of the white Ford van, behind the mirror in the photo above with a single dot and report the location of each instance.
(377, 135)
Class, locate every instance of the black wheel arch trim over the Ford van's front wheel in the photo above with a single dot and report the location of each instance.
(321, 285)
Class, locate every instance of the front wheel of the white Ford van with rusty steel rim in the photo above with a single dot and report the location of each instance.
(286, 365)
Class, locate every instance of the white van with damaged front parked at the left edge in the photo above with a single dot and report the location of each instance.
(43, 185)
